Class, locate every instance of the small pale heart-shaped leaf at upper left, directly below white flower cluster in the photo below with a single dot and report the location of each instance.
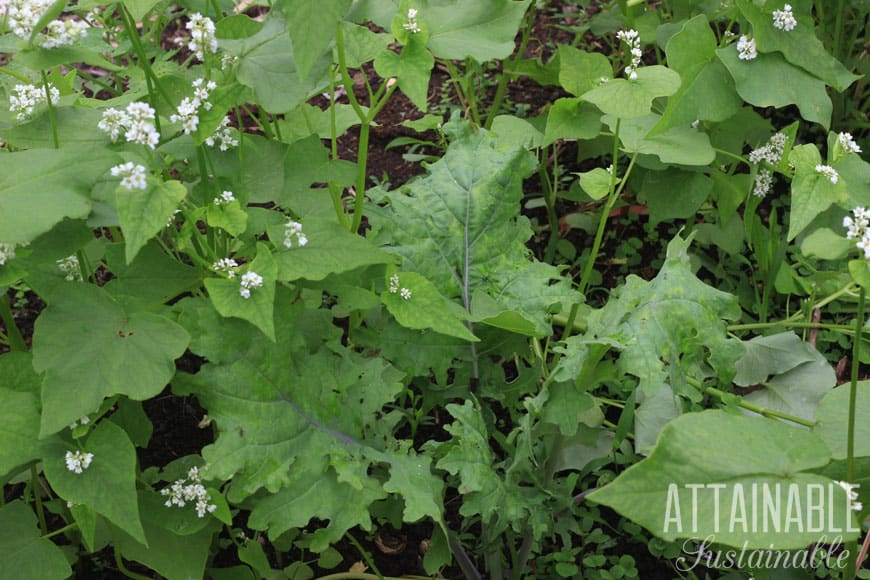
(143, 213)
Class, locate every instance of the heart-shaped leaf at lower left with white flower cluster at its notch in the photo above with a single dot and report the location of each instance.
(108, 486)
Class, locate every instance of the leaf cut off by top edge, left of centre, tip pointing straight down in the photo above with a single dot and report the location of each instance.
(313, 29)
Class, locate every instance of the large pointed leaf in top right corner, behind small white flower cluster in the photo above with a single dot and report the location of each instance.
(800, 46)
